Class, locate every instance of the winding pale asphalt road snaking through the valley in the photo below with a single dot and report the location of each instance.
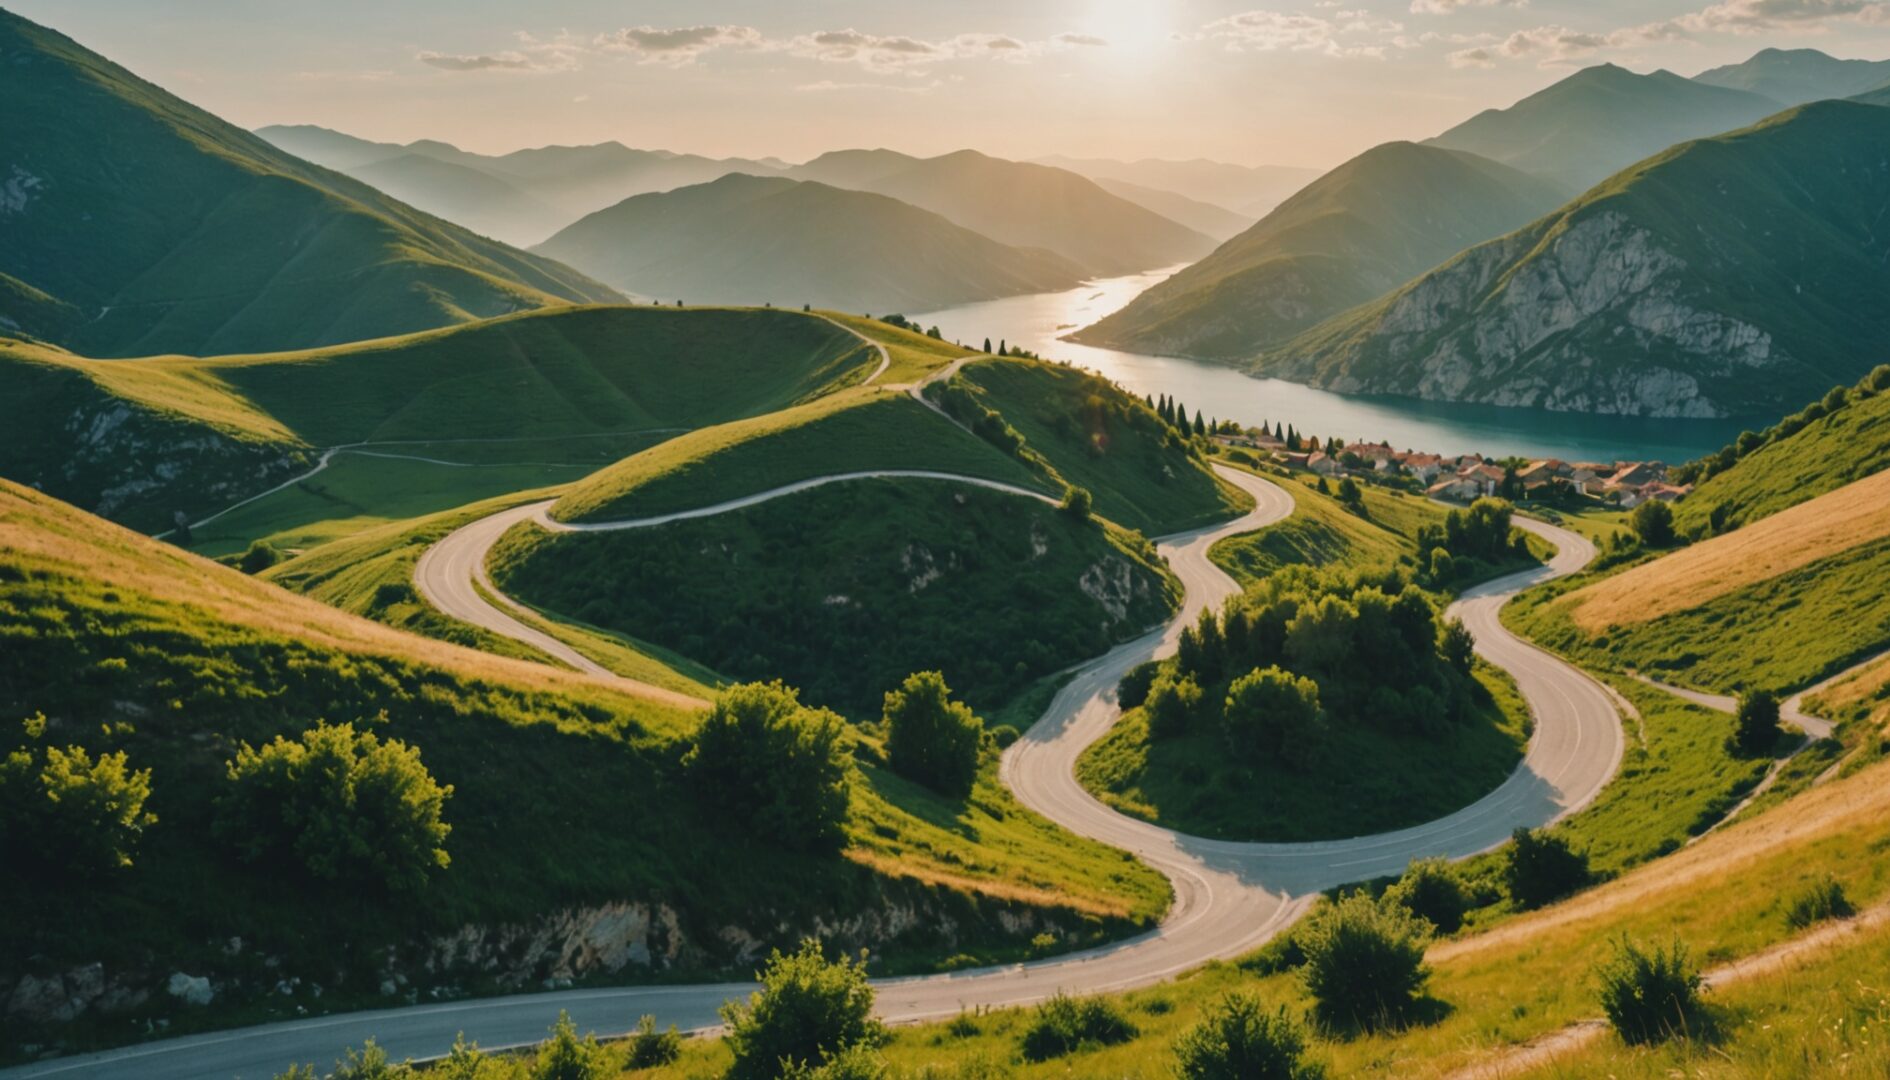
(1229, 896)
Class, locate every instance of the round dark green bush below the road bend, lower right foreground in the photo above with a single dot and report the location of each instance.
(1364, 962)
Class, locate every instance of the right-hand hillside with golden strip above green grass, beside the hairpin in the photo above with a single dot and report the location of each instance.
(1778, 604)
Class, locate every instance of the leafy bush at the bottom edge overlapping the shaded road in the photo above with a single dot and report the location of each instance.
(808, 1013)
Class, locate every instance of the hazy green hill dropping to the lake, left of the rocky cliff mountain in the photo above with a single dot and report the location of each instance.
(1349, 237)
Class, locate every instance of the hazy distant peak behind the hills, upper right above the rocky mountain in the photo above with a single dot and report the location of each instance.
(1602, 120)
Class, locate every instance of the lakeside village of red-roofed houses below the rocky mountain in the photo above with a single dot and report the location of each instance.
(1468, 478)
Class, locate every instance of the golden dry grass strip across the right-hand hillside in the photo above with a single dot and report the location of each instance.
(1825, 527)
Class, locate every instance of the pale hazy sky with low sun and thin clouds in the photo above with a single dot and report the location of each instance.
(1296, 82)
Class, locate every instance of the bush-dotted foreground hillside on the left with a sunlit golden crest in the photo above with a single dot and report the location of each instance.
(517, 778)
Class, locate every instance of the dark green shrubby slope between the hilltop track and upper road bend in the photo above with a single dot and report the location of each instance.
(1088, 432)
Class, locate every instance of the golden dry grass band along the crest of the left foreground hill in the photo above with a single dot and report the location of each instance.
(50, 532)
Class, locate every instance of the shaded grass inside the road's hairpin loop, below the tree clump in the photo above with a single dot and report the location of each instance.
(1367, 782)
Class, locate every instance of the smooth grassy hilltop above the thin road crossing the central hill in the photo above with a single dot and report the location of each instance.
(850, 432)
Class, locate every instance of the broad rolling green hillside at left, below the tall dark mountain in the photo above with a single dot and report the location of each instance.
(143, 442)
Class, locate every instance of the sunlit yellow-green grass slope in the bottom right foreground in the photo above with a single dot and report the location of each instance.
(1528, 977)
